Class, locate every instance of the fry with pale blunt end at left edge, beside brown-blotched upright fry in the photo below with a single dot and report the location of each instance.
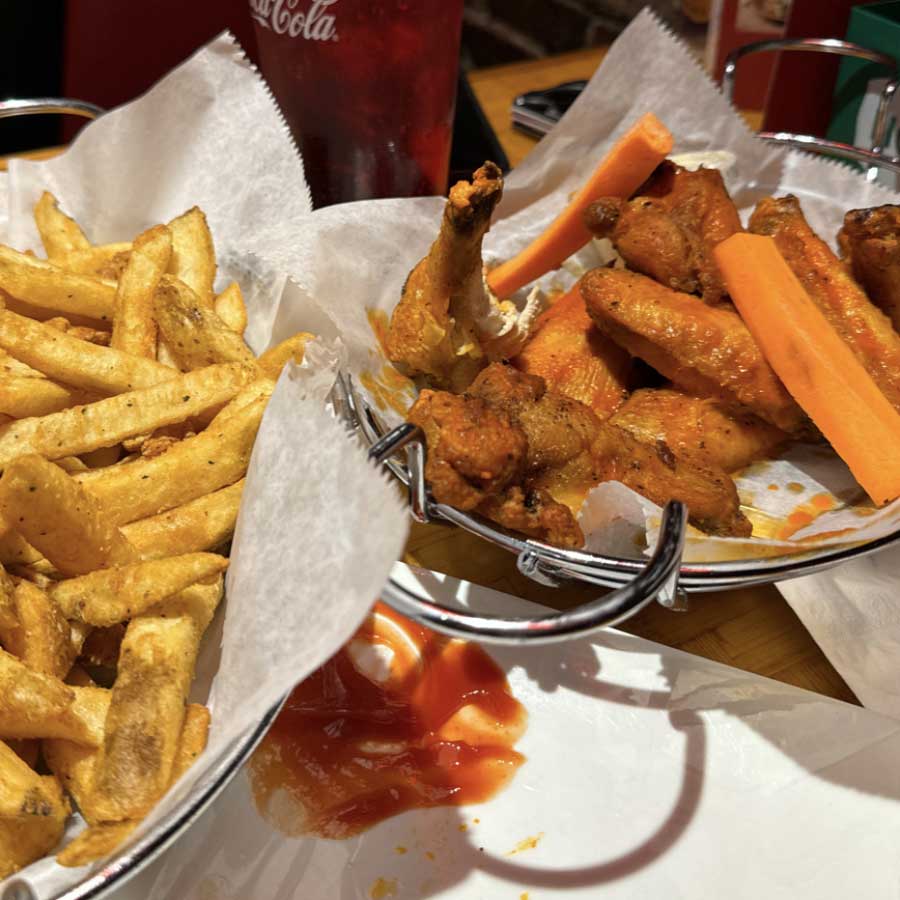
(35, 705)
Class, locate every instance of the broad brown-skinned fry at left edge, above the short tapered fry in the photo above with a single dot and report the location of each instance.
(59, 518)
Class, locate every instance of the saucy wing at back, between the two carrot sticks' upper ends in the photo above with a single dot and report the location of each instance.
(669, 229)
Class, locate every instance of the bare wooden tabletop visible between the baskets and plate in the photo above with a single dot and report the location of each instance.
(752, 629)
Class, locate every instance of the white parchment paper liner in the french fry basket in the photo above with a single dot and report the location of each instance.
(319, 527)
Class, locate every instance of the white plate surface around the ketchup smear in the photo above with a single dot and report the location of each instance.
(649, 773)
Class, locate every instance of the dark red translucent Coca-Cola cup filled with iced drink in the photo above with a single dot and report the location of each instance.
(368, 88)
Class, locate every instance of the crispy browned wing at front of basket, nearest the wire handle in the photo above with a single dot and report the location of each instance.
(567, 452)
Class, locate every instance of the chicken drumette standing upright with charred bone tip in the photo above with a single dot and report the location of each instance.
(433, 330)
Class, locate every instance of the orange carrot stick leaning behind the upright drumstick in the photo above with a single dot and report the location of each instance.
(620, 173)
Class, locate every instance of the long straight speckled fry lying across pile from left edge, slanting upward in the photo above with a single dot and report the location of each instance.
(112, 420)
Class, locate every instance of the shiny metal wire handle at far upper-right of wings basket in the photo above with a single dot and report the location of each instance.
(873, 158)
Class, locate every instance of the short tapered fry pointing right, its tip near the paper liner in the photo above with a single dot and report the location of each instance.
(115, 595)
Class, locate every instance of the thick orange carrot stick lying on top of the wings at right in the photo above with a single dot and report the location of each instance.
(816, 366)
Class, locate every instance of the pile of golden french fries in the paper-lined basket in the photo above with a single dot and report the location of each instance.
(129, 404)
